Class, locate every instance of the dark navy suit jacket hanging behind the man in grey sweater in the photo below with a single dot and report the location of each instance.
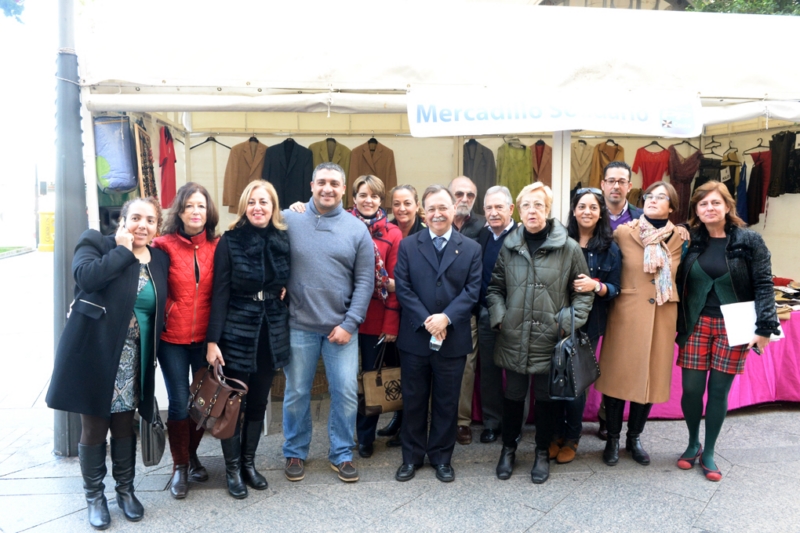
(291, 178)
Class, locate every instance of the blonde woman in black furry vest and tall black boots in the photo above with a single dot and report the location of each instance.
(248, 331)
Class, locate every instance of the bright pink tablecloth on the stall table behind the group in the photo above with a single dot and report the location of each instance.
(772, 377)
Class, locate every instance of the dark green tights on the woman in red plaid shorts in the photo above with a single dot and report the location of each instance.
(694, 386)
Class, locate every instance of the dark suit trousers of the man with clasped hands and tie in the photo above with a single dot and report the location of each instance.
(438, 378)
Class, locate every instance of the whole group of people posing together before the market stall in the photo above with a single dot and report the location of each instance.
(279, 289)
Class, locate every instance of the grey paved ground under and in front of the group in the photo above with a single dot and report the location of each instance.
(758, 452)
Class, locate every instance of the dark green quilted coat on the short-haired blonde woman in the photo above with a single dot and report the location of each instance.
(526, 295)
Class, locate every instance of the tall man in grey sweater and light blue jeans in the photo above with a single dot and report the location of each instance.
(331, 282)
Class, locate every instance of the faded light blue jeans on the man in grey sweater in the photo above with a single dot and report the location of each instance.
(341, 369)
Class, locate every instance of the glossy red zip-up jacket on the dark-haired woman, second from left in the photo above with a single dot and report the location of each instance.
(188, 302)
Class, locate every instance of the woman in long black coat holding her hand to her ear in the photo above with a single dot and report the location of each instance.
(105, 362)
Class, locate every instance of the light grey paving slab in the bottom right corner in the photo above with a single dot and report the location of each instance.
(751, 499)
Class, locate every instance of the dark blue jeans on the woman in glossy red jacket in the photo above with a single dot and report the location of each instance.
(175, 360)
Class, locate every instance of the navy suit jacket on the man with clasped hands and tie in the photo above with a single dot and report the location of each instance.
(425, 287)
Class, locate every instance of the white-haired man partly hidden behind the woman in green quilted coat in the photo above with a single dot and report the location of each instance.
(498, 207)
